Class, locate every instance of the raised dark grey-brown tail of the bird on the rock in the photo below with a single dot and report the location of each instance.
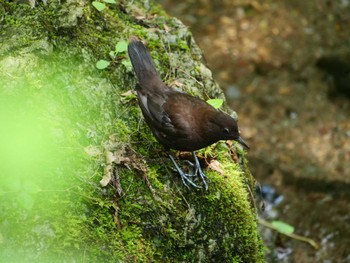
(142, 63)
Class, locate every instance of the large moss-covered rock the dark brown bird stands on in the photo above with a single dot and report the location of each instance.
(67, 125)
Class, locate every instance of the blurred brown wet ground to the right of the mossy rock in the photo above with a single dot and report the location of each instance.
(264, 55)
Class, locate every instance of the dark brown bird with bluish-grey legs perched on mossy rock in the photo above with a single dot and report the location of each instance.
(178, 121)
